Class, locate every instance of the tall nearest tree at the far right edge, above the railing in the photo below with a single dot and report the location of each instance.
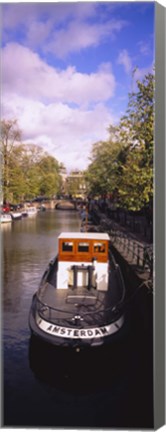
(137, 175)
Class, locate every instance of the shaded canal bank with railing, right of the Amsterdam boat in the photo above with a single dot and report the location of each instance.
(135, 258)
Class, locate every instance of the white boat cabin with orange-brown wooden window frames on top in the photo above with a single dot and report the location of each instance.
(83, 260)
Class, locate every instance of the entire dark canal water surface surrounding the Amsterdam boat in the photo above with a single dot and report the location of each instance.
(42, 387)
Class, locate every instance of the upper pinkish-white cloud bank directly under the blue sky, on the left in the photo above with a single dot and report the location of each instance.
(26, 74)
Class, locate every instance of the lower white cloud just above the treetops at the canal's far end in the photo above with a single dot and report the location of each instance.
(66, 133)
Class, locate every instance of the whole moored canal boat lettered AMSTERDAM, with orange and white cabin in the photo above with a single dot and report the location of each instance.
(79, 301)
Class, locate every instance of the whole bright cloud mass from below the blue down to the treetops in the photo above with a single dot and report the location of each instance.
(61, 110)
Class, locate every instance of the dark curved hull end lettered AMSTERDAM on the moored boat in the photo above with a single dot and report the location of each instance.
(74, 337)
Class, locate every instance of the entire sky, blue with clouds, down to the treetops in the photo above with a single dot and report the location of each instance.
(67, 70)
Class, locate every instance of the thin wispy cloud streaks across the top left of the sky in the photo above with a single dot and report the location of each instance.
(59, 28)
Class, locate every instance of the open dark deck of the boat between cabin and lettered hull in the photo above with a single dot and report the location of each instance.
(91, 305)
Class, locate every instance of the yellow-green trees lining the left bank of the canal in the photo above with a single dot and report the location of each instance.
(27, 171)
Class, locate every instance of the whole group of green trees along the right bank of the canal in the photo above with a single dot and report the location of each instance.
(124, 164)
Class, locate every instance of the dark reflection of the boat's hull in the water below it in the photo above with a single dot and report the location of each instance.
(86, 371)
